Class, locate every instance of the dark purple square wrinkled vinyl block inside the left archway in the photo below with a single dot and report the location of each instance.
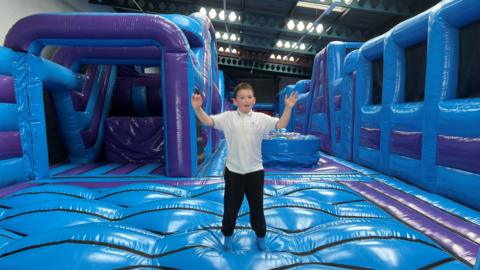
(134, 140)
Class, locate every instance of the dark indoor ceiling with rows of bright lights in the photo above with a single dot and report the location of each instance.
(283, 36)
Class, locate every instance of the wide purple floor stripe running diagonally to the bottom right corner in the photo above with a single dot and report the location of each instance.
(462, 248)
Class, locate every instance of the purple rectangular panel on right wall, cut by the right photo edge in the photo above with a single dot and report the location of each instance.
(459, 152)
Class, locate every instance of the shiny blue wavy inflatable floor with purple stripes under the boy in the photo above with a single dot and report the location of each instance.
(343, 217)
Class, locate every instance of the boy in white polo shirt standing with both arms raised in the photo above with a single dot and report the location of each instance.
(244, 175)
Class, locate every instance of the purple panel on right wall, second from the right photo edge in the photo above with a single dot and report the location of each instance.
(406, 143)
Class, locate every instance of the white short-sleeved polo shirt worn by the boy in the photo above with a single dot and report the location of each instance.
(244, 133)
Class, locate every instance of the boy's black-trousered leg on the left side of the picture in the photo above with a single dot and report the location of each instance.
(232, 200)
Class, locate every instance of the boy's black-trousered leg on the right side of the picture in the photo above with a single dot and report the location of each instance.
(254, 192)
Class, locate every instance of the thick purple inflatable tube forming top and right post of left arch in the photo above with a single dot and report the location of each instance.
(143, 30)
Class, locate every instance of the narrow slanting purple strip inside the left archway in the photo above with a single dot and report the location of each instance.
(90, 135)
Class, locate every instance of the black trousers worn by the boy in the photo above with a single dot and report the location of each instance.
(236, 186)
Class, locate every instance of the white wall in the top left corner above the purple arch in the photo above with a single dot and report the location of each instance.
(17, 9)
